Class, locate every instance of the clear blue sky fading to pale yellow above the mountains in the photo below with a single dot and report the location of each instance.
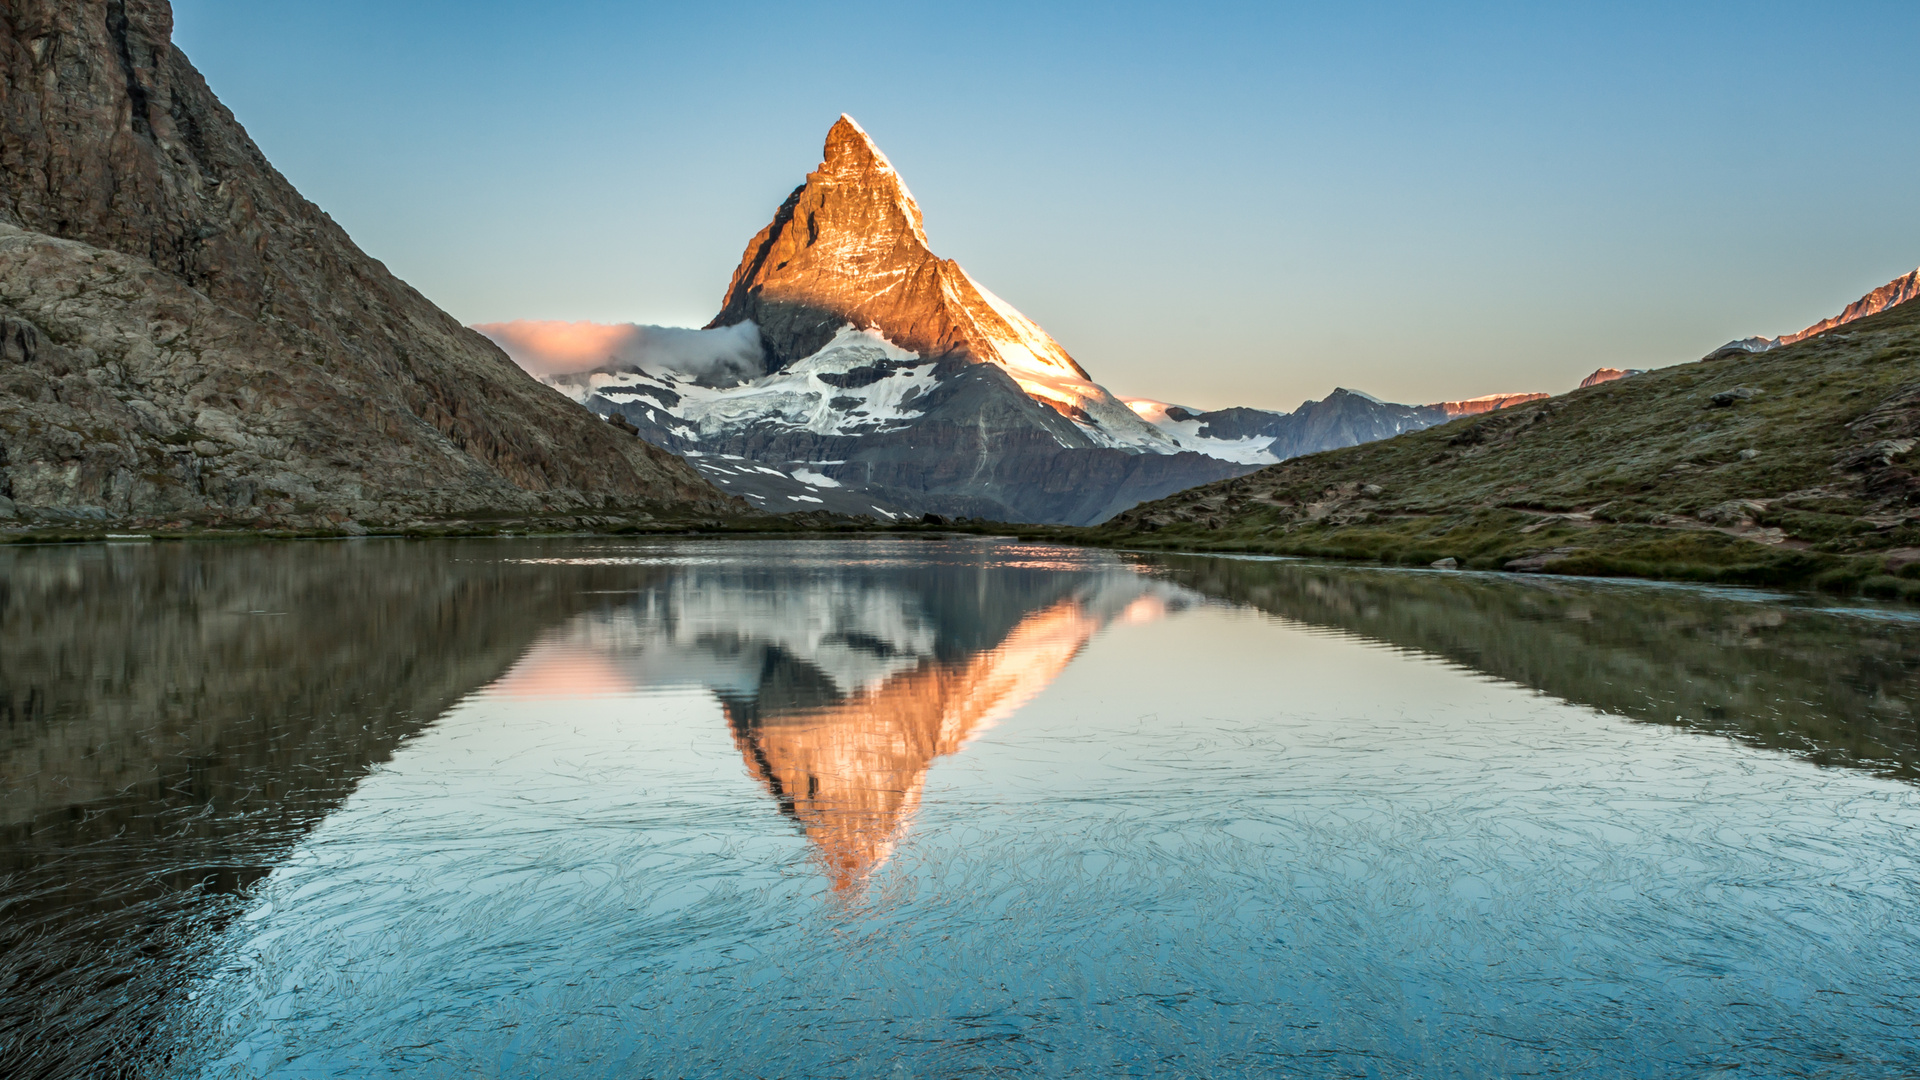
(1214, 205)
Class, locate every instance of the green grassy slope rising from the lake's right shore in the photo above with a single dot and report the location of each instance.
(1635, 478)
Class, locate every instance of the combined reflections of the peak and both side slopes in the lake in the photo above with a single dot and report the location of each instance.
(180, 720)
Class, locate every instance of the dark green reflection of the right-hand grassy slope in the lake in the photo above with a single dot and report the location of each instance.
(1835, 687)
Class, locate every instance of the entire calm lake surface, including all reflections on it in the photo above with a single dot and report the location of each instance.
(940, 808)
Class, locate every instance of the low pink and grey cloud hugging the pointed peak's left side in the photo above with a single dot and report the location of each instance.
(719, 358)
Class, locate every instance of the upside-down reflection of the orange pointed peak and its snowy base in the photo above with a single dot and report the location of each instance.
(842, 693)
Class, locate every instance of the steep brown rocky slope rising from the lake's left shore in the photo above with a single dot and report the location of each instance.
(187, 341)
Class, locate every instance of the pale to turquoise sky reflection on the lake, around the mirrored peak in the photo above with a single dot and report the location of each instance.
(1214, 839)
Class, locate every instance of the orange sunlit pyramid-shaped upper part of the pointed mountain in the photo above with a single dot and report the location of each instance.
(850, 249)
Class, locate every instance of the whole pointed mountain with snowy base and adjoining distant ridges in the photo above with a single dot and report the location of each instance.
(892, 383)
